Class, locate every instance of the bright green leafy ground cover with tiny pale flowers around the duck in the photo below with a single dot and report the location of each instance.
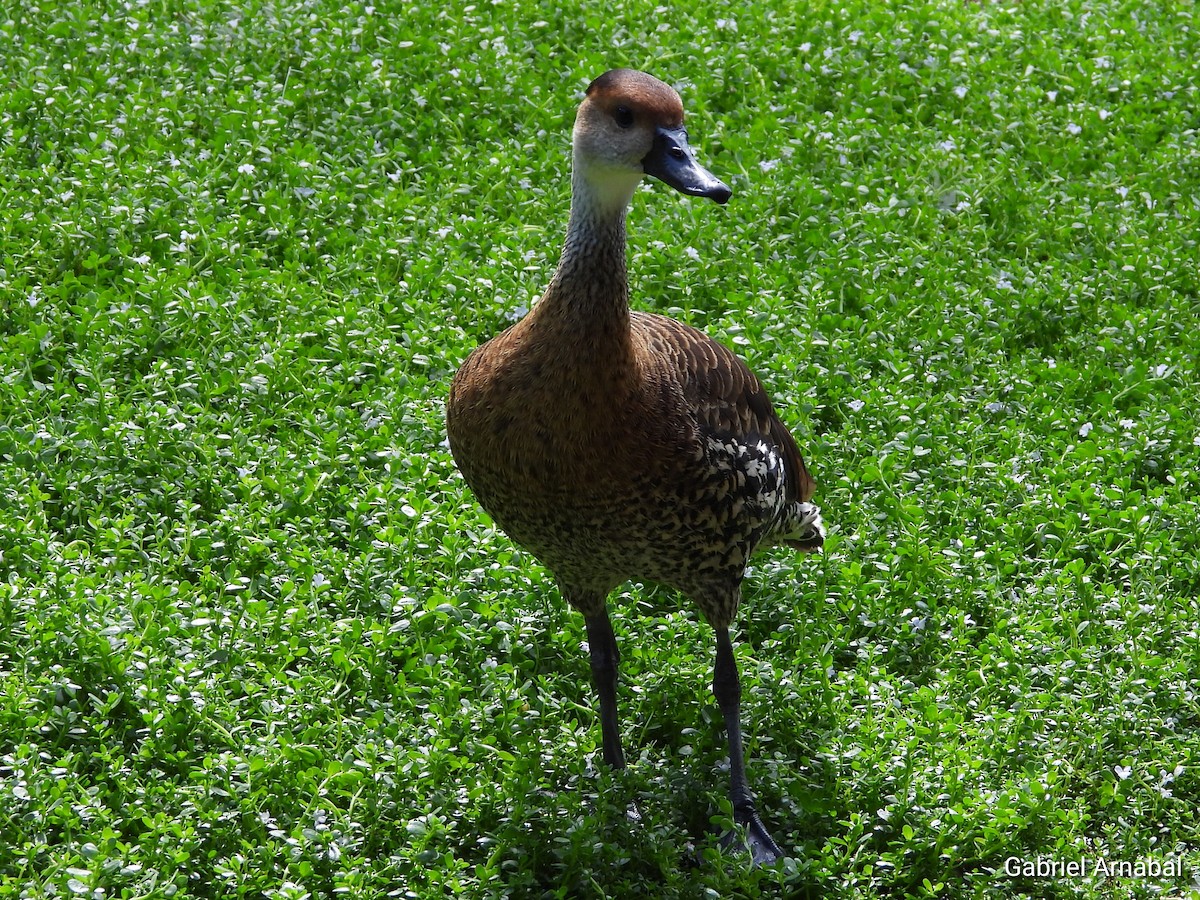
(257, 639)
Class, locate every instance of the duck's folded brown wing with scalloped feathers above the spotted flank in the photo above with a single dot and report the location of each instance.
(724, 394)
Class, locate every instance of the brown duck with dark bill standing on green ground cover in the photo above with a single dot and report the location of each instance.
(619, 446)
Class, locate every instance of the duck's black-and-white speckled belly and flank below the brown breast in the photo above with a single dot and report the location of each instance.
(691, 524)
